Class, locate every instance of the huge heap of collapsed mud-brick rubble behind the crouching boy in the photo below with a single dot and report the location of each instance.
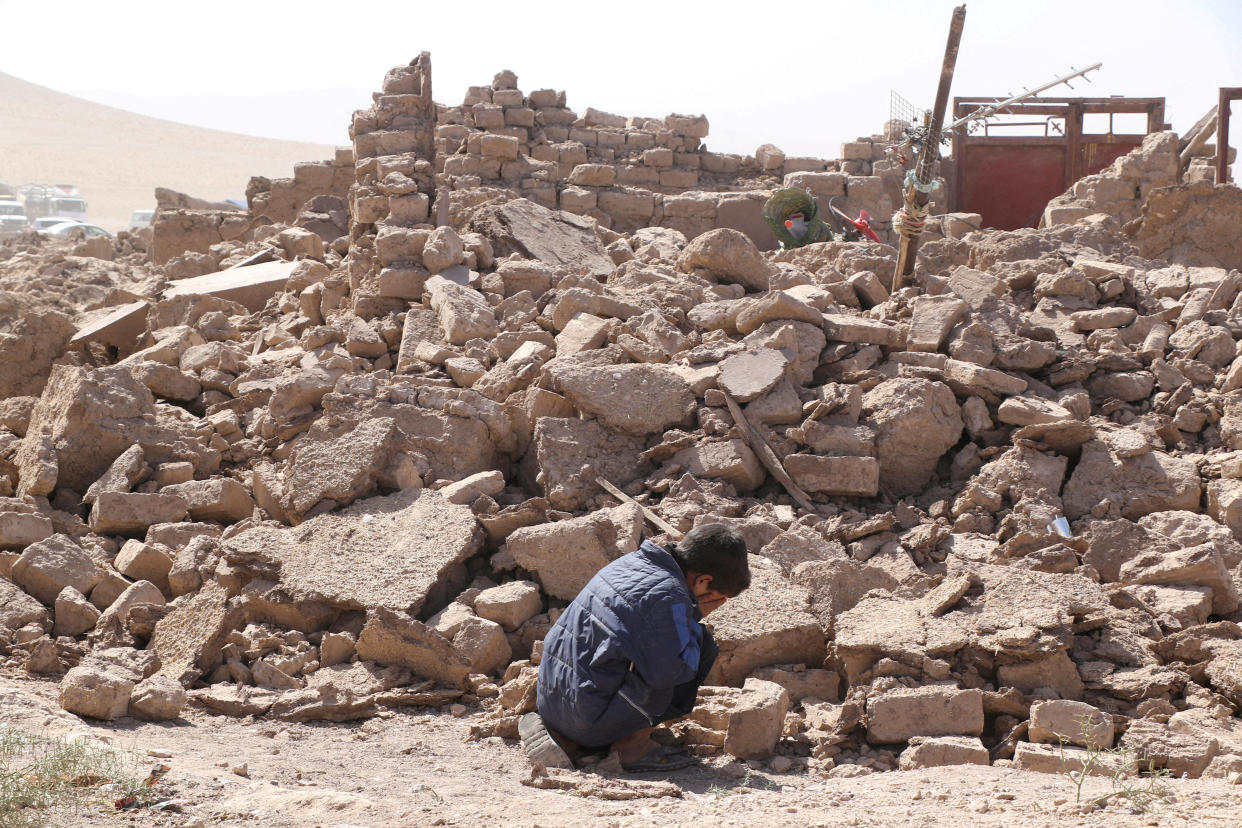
(994, 511)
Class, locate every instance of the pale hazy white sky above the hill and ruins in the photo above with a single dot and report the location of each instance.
(804, 76)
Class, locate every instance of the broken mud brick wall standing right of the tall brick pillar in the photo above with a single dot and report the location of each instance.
(632, 173)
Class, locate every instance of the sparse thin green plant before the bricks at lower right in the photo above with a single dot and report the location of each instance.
(1143, 789)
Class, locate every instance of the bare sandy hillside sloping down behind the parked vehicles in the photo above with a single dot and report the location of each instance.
(117, 158)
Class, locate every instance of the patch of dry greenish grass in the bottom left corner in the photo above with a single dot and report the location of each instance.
(40, 774)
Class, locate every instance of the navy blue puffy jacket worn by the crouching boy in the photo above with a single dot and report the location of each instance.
(613, 660)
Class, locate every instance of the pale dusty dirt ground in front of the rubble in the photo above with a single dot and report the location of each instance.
(420, 769)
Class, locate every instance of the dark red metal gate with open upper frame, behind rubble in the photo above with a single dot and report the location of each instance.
(1010, 179)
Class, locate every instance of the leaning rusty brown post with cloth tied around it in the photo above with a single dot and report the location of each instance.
(920, 182)
